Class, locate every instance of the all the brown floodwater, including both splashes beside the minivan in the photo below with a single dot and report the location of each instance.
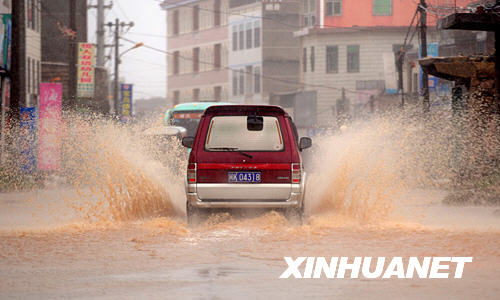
(118, 230)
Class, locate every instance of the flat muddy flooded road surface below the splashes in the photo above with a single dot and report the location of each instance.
(161, 258)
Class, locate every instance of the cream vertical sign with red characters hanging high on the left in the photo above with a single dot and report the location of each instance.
(86, 71)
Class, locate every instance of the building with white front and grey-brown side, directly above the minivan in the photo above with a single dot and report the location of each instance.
(264, 55)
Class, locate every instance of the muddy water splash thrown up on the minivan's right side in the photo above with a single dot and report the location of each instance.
(365, 171)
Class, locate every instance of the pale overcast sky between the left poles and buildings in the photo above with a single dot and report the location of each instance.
(144, 68)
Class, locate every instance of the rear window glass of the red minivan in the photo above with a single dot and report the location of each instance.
(230, 133)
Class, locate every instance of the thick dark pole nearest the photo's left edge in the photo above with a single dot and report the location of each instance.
(18, 68)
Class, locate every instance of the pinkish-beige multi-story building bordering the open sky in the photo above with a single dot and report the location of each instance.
(197, 44)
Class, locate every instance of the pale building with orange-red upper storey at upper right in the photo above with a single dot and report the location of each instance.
(349, 51)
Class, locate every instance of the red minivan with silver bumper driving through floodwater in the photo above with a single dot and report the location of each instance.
(245, 156)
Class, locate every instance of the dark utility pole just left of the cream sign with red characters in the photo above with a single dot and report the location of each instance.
(73, 57)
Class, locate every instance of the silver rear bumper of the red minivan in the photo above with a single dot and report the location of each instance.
(294, 199)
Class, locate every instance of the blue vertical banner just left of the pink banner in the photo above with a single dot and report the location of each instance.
(27, 139)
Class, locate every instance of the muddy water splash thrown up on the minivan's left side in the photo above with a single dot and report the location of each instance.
(116, 172)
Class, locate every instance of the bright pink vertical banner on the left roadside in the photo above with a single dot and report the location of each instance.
(49, 131)
